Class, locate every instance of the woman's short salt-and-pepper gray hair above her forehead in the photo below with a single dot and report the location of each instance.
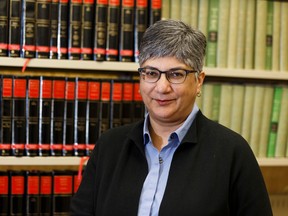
(173, 38)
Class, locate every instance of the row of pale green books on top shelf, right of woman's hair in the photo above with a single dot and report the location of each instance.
(248, 34)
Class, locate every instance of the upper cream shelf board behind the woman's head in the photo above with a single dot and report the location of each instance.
(132, 67)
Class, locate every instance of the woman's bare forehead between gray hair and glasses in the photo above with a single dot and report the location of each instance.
(164, 63)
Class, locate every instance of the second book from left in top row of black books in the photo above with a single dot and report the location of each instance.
(14, 35)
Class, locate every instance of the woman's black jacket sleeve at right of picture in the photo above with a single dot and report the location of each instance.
(249, 196)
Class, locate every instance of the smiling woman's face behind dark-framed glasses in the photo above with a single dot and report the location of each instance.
(167, 102)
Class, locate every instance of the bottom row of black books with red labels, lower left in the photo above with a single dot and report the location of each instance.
(28, 192)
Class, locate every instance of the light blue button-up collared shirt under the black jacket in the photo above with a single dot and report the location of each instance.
(159, 166)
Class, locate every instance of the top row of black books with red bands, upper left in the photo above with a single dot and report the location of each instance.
(75, 29)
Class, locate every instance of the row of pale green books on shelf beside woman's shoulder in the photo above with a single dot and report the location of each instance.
(259, 112)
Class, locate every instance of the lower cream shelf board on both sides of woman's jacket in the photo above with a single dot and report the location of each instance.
(75, 161)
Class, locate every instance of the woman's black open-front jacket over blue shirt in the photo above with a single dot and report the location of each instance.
(213, 173)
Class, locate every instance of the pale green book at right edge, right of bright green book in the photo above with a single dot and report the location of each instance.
(280, 146)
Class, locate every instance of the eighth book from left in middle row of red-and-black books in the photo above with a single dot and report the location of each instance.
(93, 110)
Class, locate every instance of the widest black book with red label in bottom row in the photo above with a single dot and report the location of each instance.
(62, 191)
